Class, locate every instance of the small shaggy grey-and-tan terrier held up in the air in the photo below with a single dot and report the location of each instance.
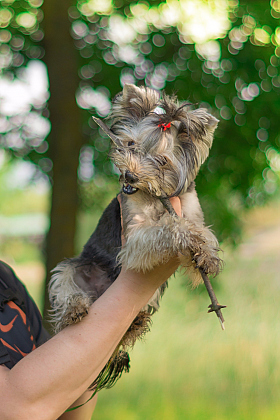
(158, 145)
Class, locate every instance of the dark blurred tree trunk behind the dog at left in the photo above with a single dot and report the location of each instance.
(65, 139)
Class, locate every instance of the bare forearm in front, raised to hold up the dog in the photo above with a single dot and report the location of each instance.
(48, 380)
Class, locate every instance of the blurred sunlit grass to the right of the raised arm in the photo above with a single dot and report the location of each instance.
(188, 368)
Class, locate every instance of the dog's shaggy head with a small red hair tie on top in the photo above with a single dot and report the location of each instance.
(158, 144)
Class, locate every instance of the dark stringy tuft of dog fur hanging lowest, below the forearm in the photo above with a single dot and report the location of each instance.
(112, 371)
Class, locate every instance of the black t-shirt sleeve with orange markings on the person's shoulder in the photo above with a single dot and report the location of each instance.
(21, 329)
